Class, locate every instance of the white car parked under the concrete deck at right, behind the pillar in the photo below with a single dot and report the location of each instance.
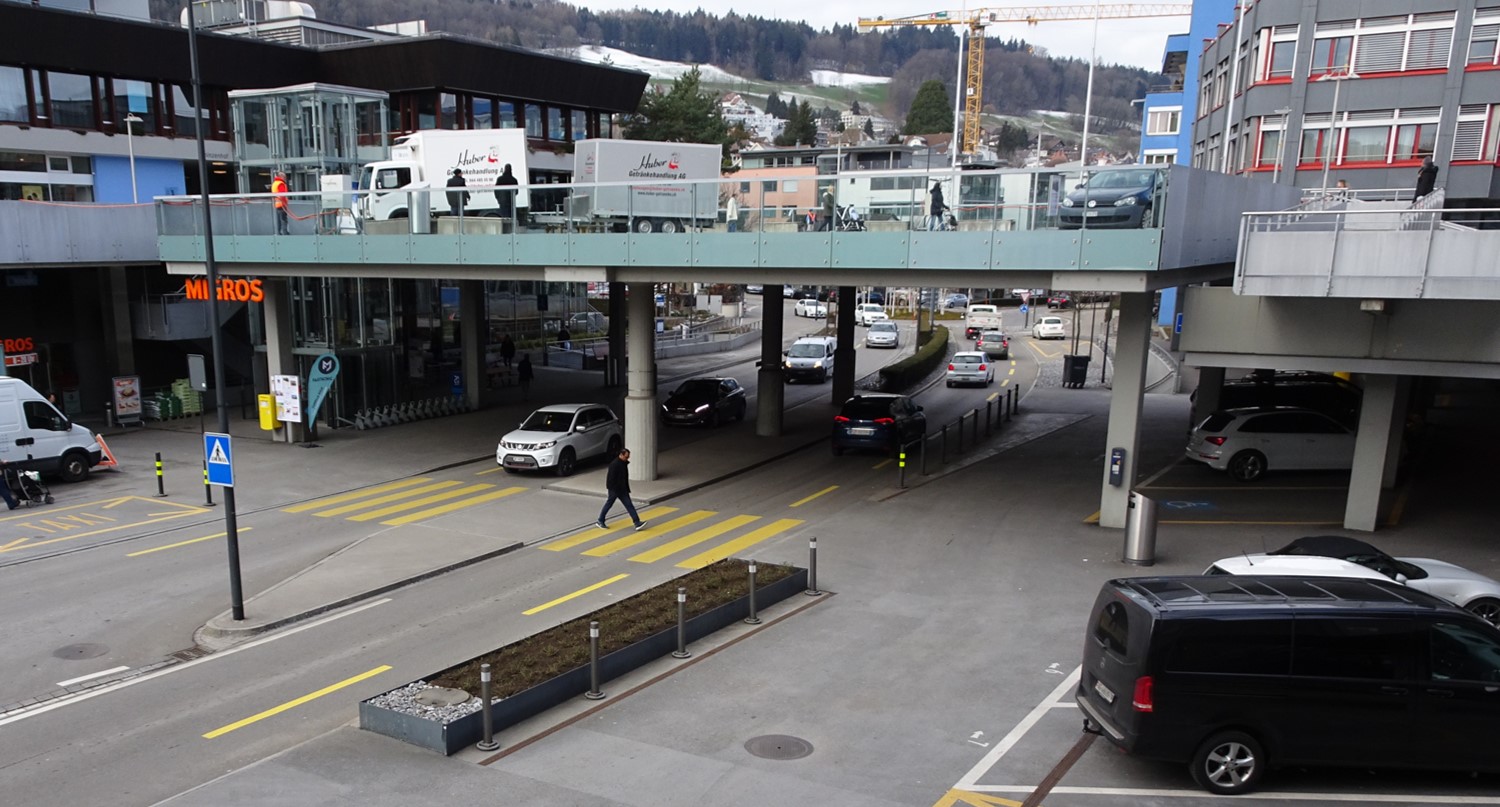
(1250, 442)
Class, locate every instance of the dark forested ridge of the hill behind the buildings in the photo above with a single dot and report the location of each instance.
(770, 50)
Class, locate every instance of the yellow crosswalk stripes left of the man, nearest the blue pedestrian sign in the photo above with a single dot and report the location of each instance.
(404, 502)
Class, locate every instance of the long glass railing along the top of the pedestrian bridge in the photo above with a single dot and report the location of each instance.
(1126, 197)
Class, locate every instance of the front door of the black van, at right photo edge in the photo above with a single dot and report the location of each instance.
(1459, 704)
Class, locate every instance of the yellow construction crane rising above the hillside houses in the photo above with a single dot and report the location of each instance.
(979, 19)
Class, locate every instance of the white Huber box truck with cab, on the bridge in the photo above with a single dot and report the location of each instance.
(398, 187)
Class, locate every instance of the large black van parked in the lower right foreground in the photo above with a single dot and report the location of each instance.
(1237, 674)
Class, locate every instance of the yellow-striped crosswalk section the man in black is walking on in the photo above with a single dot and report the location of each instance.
(704, 529)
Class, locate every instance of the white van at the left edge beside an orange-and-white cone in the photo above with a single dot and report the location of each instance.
(37, 437)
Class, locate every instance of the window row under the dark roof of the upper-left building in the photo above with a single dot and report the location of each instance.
(103, 104)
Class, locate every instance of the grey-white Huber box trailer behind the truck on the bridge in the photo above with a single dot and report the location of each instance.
(674, 205)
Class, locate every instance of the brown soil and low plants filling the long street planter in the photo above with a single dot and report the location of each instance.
(551, 653)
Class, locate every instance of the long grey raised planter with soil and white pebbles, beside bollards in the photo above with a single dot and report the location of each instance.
(443, 712)
